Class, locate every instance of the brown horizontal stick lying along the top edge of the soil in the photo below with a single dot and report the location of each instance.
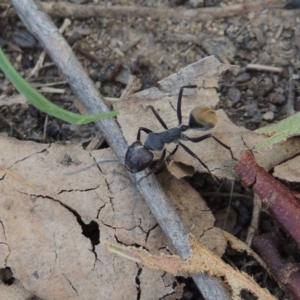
(66, 9)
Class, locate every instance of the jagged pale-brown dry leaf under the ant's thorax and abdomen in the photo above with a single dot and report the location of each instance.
(205, 74)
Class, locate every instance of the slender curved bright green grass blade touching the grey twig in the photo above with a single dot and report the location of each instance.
(43, 104)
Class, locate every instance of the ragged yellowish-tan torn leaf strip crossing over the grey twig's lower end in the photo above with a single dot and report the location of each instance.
(200, 260)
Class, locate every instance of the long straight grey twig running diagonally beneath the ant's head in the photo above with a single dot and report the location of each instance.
(45, 31)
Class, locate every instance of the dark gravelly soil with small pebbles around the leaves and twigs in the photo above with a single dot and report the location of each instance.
(152, 48)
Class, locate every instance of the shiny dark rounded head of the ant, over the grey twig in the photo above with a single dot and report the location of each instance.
(138, 158)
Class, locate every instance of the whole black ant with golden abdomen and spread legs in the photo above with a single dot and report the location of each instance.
(138, 156)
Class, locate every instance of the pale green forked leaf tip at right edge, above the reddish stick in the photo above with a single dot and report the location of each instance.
(280, 132)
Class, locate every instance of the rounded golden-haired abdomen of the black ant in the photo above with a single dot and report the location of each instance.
(202, 118)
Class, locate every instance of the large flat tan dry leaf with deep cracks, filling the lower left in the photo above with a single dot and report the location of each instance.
(44, 215)
